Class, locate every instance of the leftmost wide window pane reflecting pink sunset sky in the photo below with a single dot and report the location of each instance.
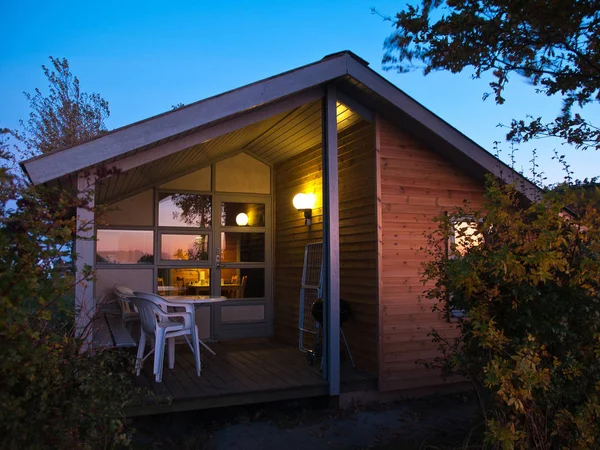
(125, 247)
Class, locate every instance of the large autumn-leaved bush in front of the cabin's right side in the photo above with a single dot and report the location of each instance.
(529, 284)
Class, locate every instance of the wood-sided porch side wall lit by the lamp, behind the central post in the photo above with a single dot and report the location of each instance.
(358, 238)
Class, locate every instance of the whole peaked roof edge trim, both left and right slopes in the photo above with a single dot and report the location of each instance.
(139, 135)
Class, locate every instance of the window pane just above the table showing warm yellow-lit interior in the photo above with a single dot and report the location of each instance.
(186, 281)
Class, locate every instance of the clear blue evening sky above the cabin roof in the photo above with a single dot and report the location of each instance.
(144, 57)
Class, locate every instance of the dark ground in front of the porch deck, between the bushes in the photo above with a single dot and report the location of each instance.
(435, 423)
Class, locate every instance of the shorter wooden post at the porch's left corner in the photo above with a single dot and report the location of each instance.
(85, 302)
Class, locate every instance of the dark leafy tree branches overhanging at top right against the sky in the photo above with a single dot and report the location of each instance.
(552, 43)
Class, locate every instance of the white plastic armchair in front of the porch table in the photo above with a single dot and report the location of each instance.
(164, 327)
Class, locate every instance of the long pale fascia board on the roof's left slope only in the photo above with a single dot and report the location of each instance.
(114, 144)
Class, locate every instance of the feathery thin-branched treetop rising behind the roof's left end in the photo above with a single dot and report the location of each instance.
(65, 117)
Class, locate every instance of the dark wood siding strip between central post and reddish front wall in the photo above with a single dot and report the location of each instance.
(358, 242)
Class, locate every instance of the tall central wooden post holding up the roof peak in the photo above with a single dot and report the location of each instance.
(331, 241)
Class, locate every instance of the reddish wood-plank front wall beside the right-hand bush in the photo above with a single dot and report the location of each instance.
(416, 184)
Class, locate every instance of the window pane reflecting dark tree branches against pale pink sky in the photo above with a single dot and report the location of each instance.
(184, 210)
